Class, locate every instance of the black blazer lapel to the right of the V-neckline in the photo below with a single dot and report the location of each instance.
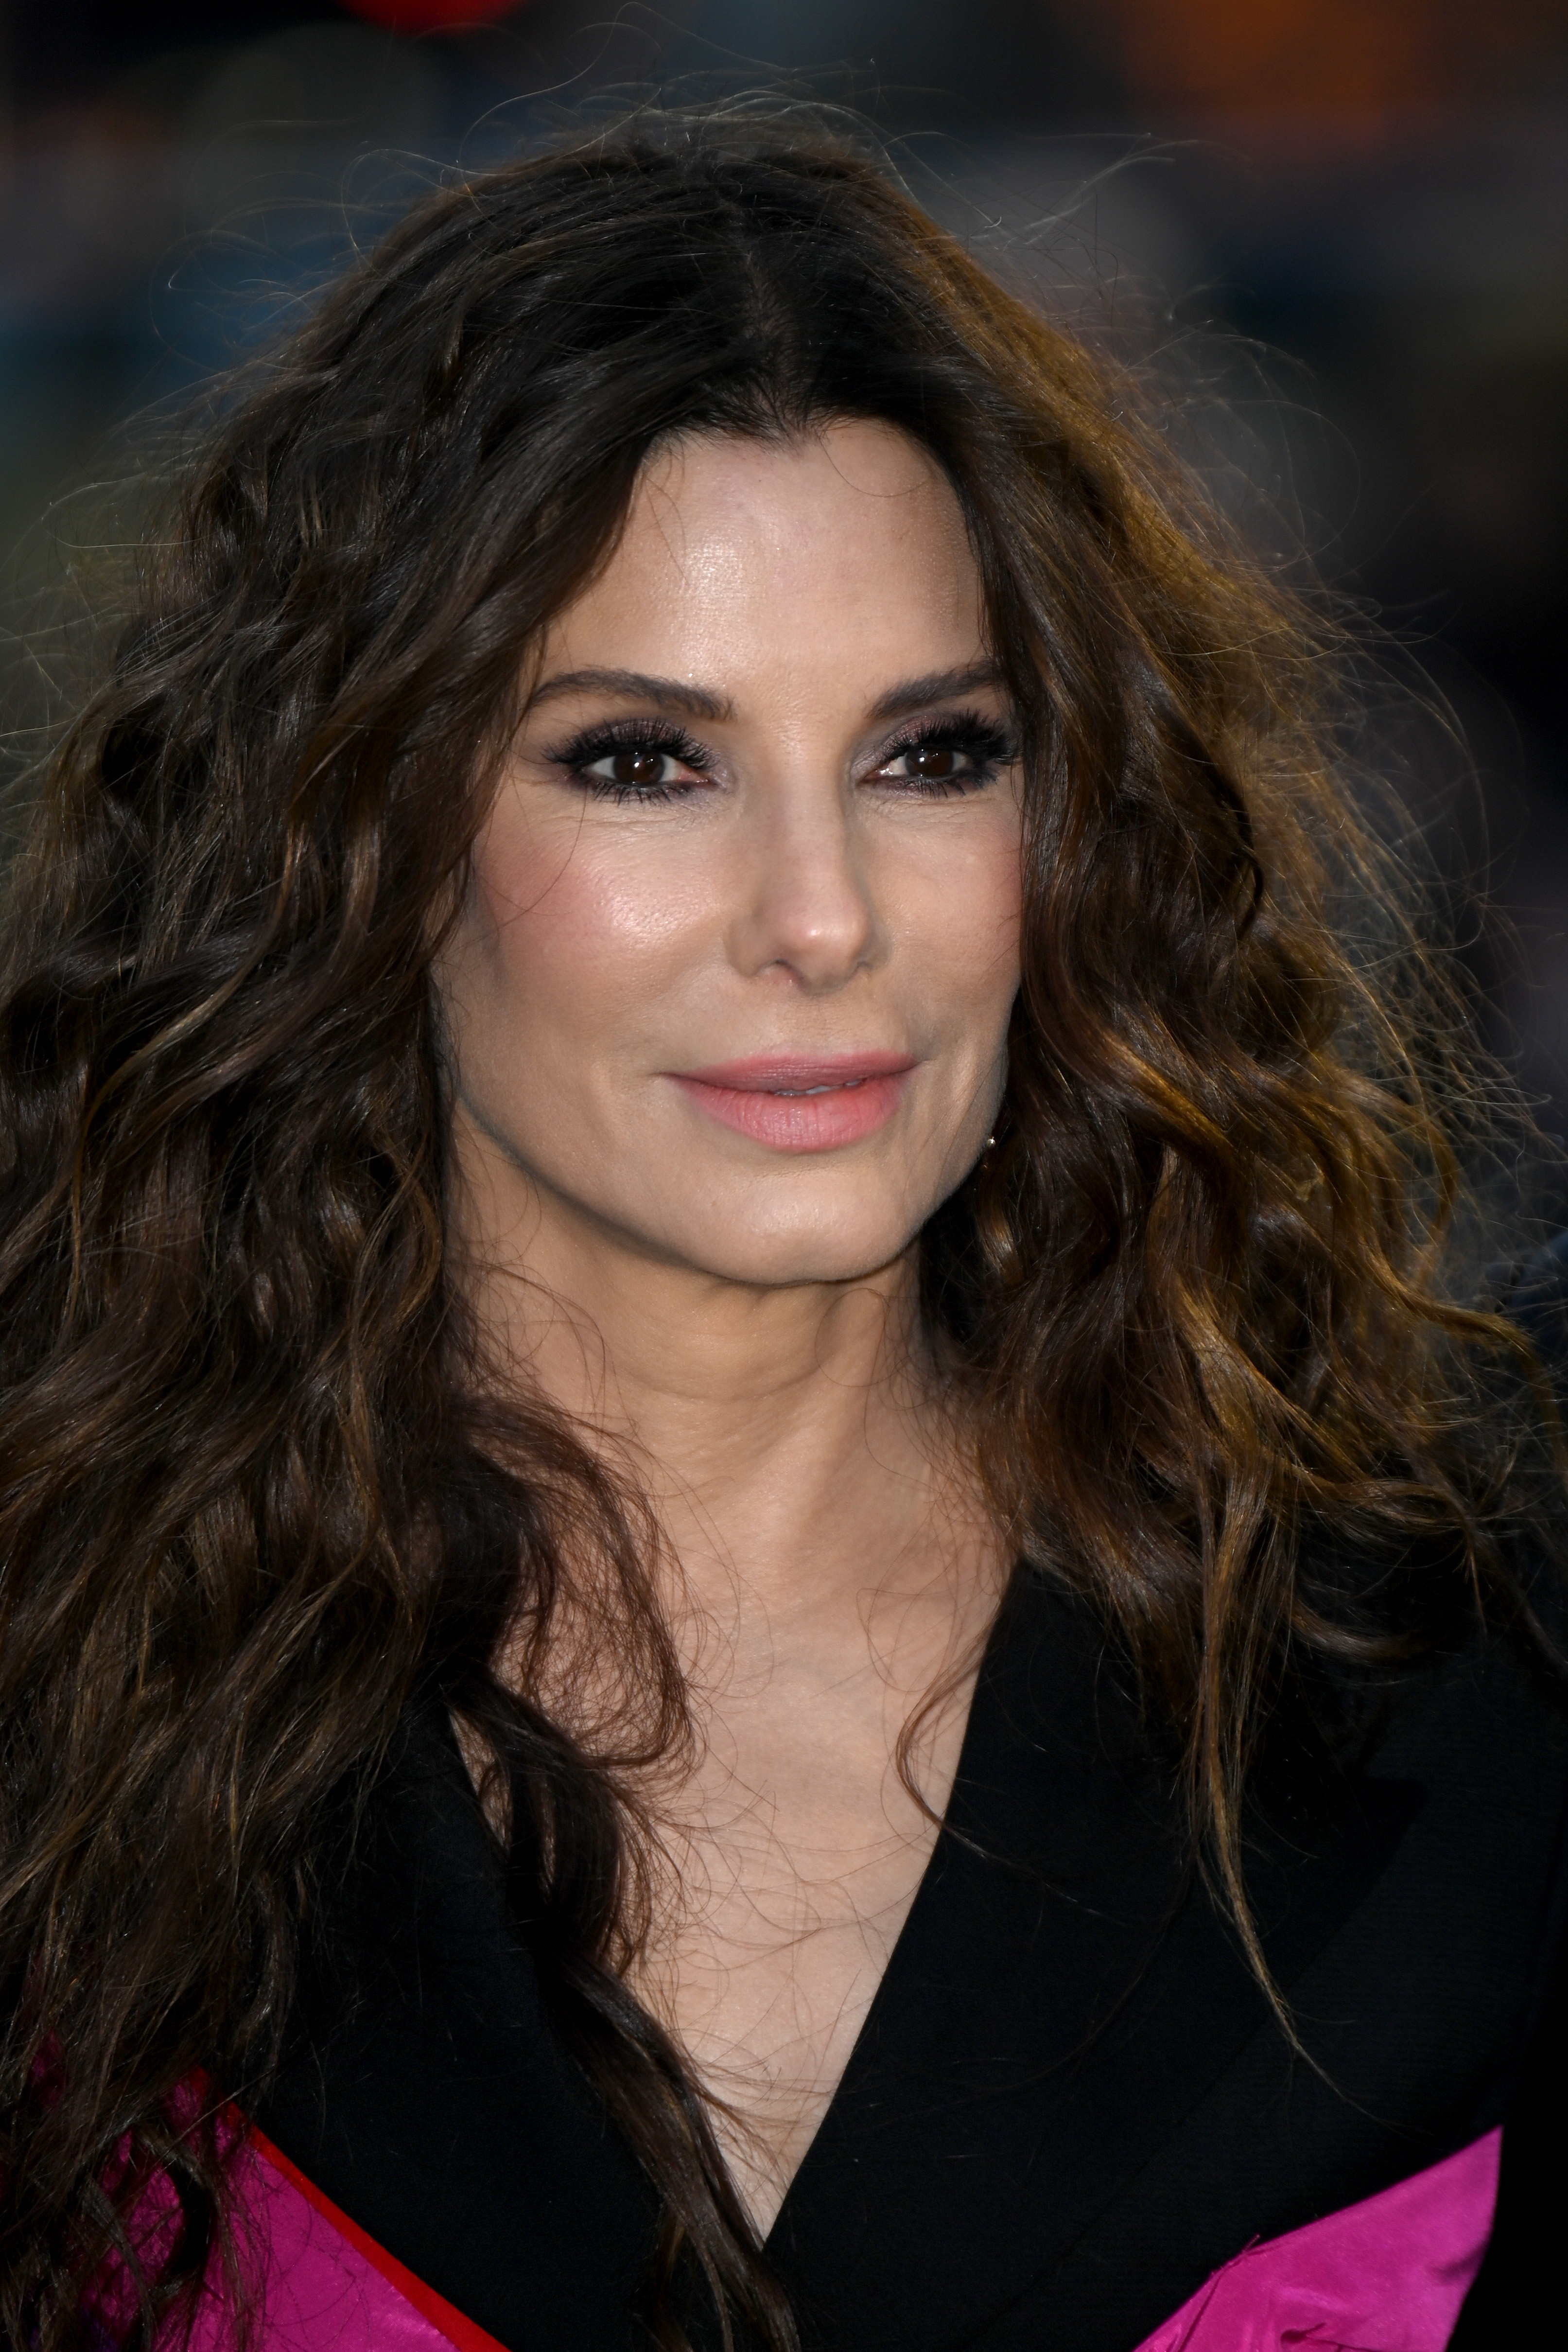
(1061, 1998)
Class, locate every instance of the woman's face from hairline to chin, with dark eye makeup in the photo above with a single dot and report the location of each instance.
(737, 963)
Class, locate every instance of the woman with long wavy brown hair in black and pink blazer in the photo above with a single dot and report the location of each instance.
(758, 1582)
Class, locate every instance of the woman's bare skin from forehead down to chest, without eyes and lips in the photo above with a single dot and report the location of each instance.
(735, 1318)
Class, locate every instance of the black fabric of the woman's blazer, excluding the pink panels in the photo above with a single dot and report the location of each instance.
(1071, 2102)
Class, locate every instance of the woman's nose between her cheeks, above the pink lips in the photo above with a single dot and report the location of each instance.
(808, 907)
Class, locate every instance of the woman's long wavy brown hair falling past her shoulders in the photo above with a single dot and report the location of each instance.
(257, 1490)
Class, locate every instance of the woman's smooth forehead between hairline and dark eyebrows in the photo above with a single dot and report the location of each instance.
(843, 552)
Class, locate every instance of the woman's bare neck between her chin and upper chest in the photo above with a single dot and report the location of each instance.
(791, 1436)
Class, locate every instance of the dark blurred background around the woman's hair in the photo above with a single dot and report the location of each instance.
(1341, 225)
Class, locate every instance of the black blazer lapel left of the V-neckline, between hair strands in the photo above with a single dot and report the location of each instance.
(427, 2090)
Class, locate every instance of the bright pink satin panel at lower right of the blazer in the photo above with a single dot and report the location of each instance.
(1386, 2276)
